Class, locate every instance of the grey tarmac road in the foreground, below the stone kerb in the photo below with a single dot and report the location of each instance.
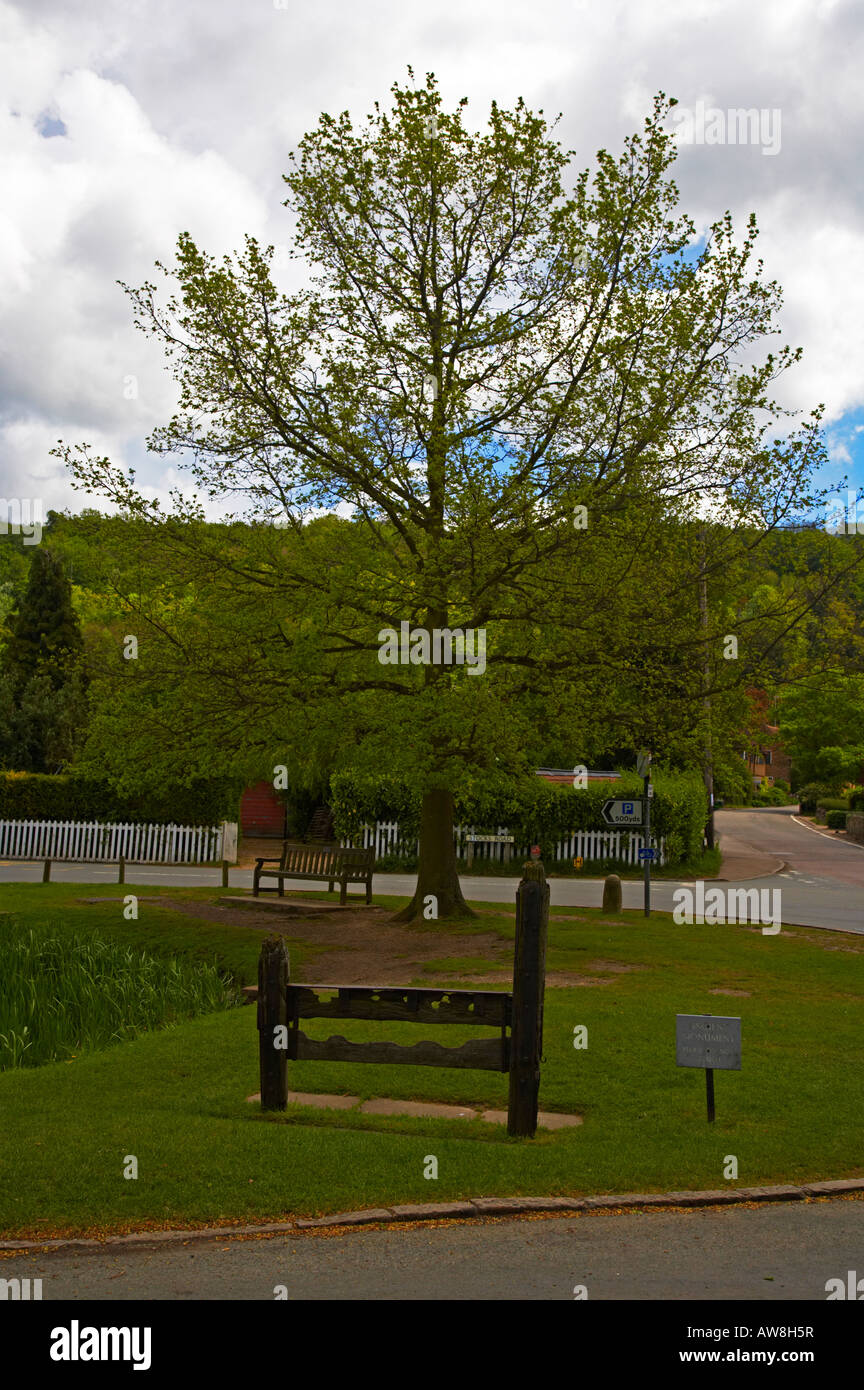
(784, 1252)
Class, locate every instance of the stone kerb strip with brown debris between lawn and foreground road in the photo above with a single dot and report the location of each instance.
(451, 1211)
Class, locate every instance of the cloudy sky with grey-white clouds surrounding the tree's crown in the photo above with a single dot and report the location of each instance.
(126, 124)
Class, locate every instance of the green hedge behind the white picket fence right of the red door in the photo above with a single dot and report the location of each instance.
(531, 808)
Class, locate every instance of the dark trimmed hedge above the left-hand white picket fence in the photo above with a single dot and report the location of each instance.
(40, 797)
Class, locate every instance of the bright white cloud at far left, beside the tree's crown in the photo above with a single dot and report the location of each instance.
(83, 212)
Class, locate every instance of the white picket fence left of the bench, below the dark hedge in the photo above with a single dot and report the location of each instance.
(92, 842)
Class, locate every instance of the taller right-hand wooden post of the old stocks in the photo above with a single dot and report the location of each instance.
(529, 983)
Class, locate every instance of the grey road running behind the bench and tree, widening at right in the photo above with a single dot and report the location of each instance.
(822, 883)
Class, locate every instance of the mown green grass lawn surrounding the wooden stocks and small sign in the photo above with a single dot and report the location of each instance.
(176, 1099)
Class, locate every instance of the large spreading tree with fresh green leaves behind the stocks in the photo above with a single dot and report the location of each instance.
(501, 404)
